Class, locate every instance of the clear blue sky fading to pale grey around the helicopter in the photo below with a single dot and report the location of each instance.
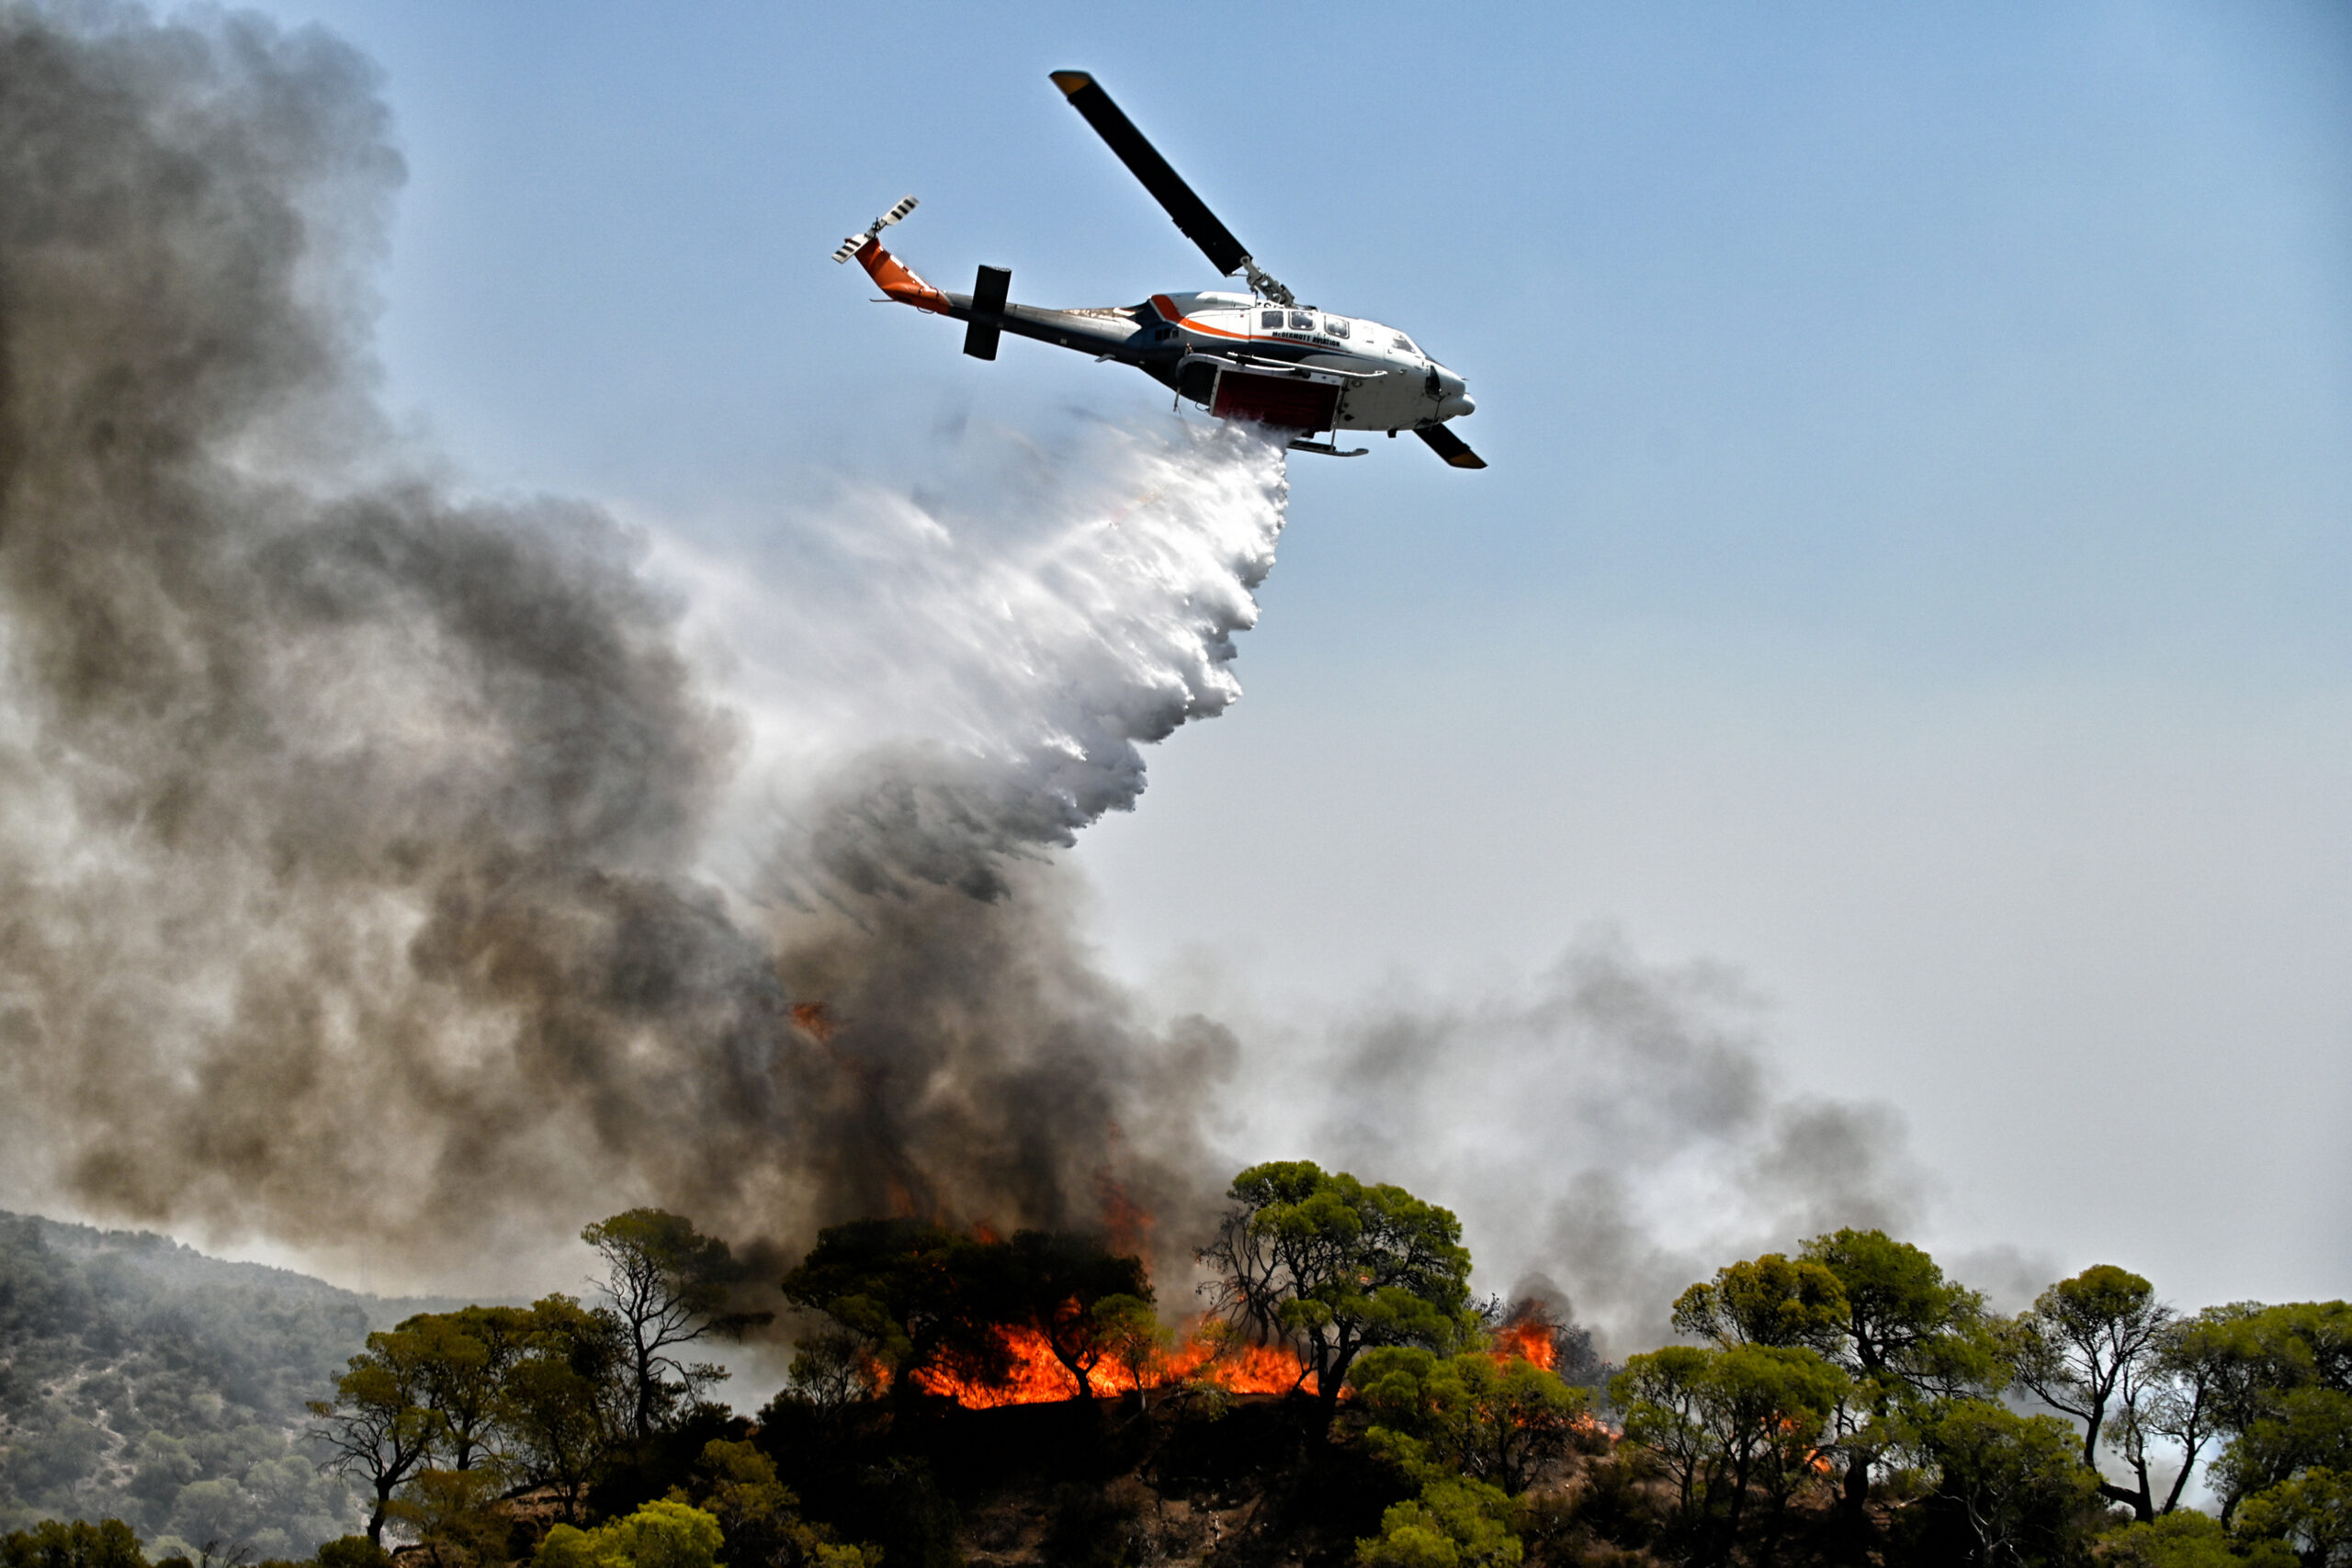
(1913, 565)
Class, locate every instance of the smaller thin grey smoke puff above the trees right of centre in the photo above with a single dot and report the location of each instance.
(1610, 1132)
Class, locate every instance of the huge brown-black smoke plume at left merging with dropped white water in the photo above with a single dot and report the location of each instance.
(382, 871)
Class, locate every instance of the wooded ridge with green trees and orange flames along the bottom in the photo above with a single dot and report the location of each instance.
(961, 1400)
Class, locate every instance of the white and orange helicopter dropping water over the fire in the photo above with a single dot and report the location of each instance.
(1243, 356)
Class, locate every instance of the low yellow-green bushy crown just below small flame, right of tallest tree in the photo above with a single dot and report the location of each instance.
(1471, 1414)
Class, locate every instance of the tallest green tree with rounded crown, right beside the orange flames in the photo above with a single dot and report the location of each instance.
(1335, 1268)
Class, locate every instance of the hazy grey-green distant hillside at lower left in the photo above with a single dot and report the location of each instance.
(152, 1383)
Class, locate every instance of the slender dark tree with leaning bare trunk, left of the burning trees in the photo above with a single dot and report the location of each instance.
(669, 1287)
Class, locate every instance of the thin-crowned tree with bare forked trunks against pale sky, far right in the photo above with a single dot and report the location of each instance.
(2087, 1346)
